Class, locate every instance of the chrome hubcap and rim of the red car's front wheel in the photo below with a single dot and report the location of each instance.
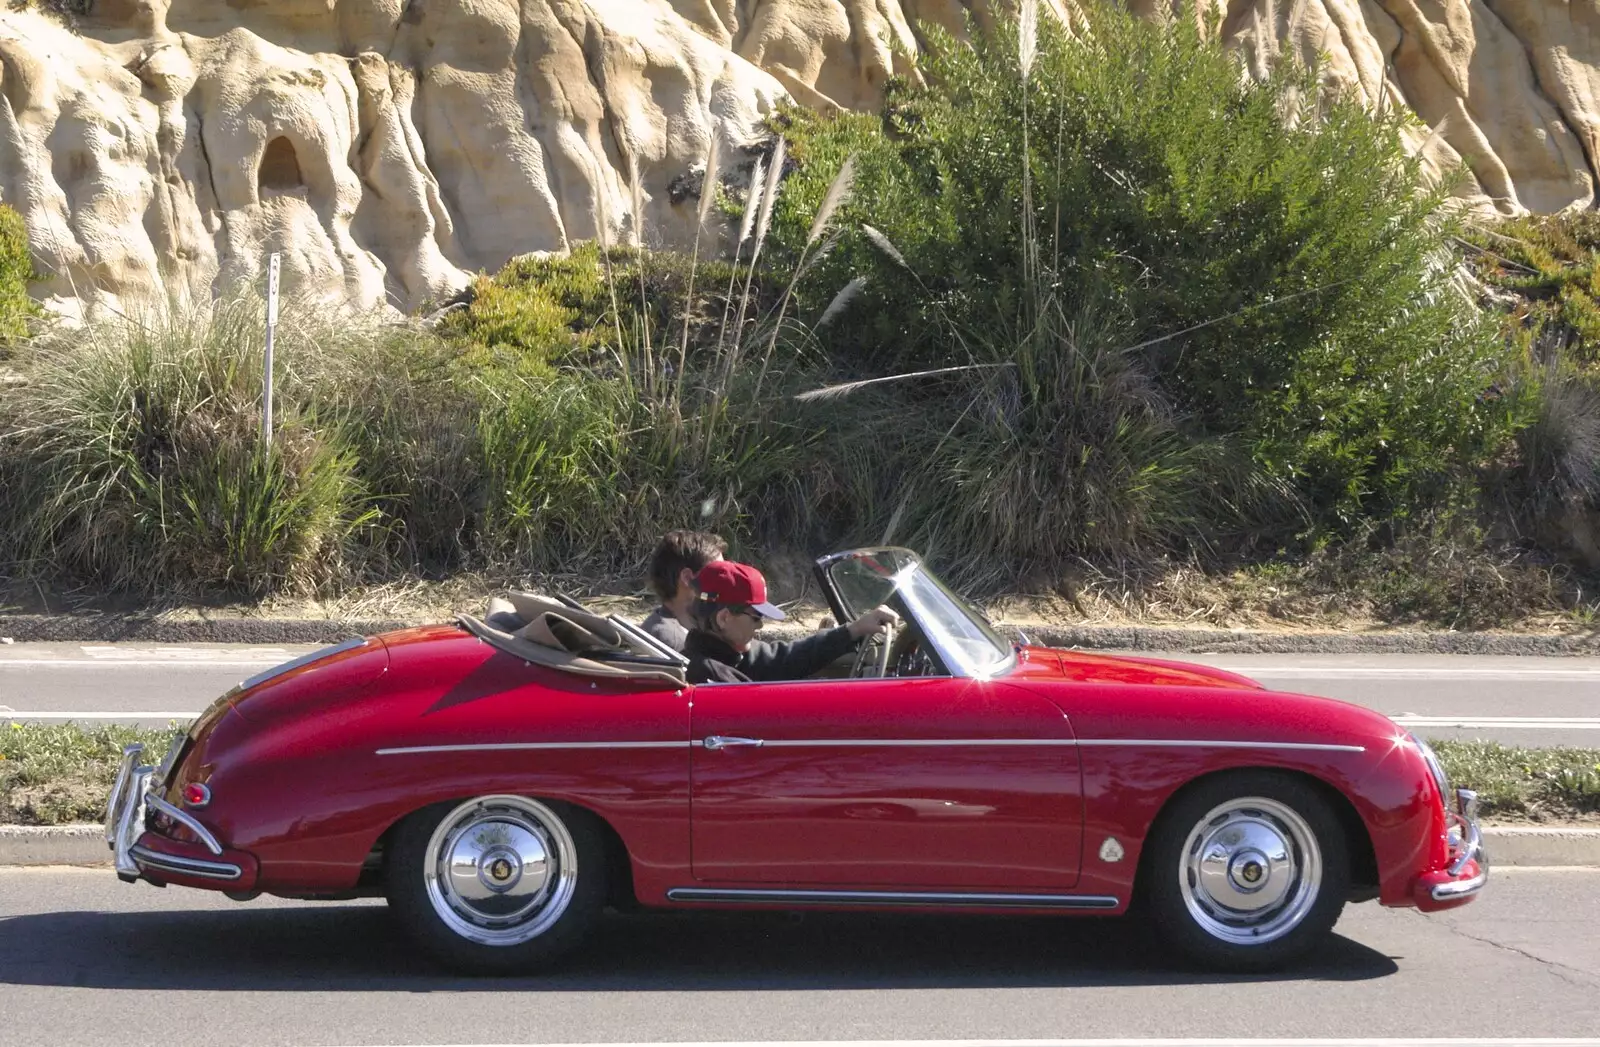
(1252, 872)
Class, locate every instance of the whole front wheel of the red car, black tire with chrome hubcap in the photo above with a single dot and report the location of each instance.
(1244, 910)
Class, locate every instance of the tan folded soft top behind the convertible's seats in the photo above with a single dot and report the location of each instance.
(548, 633)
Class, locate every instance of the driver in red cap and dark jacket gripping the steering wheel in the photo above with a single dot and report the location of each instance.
(732, 606)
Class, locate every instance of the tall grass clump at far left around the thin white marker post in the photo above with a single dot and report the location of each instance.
(137, 462)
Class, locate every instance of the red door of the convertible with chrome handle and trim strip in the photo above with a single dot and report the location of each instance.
(932, 782)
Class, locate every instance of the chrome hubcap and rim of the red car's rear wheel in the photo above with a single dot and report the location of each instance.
(502, 870)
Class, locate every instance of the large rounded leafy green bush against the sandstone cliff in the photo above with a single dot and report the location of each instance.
(1281, 262)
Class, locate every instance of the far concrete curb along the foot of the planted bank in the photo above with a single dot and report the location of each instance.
(105, 628)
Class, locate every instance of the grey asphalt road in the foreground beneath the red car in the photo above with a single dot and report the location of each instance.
(86, 960)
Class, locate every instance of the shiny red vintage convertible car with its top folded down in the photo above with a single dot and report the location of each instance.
(503, 780)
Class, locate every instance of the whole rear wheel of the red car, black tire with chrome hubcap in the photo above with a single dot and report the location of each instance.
(534, 889)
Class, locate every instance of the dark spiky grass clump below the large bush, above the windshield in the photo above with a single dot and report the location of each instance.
(1060, 449)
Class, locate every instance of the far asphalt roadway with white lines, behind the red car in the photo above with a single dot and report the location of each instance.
(1538, 702)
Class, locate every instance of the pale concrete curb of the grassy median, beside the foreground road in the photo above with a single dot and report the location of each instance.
(1508, 846)
